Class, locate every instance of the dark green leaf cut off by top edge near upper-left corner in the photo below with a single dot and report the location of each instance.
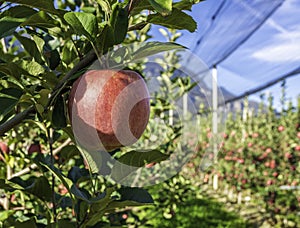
(45, 5)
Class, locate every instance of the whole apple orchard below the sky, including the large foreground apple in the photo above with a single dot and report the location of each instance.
(94, 131)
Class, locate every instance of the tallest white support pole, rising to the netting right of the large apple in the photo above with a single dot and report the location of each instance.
(215, 121)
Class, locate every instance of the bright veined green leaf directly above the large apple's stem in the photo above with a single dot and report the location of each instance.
(83, 24)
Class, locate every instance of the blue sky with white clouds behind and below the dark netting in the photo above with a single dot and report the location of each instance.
(271, 51)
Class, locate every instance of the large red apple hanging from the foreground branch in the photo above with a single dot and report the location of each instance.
(108, 109)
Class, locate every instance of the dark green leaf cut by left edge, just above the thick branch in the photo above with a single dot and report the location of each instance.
(9, 98)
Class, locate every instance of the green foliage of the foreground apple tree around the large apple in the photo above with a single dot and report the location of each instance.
(45, 178)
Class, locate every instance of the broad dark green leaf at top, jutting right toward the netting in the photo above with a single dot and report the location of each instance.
(176, 20)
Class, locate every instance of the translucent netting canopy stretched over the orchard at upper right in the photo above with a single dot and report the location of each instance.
(253, 44)
